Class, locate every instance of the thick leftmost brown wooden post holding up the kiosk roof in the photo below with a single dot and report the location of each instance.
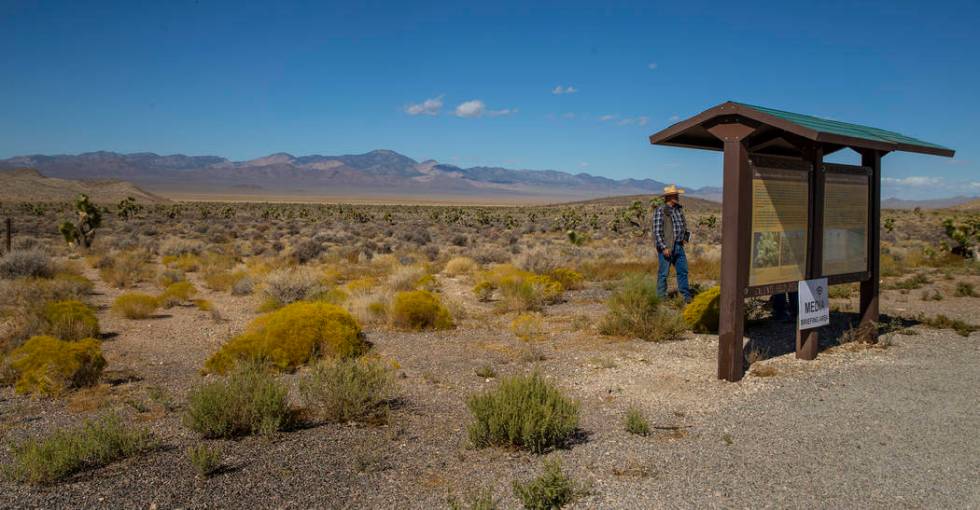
(736, 221)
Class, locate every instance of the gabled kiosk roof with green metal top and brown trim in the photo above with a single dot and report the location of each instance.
(770, 123)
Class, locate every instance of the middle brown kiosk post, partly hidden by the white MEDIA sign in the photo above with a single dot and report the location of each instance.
(808, 340)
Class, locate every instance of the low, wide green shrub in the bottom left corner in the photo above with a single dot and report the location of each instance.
(94, 444)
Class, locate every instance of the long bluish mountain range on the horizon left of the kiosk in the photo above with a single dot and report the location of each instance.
(376, 173)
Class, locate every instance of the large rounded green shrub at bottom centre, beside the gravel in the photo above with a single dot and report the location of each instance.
(523, 411)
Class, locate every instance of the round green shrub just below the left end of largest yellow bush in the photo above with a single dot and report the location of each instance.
(249, 401)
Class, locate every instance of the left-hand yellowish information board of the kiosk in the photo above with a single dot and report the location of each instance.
(780, 209)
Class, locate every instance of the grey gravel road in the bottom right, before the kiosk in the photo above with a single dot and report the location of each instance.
(903, 434)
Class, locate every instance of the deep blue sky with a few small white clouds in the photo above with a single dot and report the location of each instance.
(568, 86)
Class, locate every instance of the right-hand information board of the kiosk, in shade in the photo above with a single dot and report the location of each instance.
(845, 221)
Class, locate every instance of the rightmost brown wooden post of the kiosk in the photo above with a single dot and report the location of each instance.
(869, 287)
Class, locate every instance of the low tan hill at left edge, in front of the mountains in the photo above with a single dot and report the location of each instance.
(27, 185)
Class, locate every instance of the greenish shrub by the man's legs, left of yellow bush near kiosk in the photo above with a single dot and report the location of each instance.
(636, 311)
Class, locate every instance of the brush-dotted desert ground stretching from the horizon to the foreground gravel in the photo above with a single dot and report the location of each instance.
(521, 290)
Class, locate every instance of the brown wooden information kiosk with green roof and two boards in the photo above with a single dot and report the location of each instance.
(788, 216)
